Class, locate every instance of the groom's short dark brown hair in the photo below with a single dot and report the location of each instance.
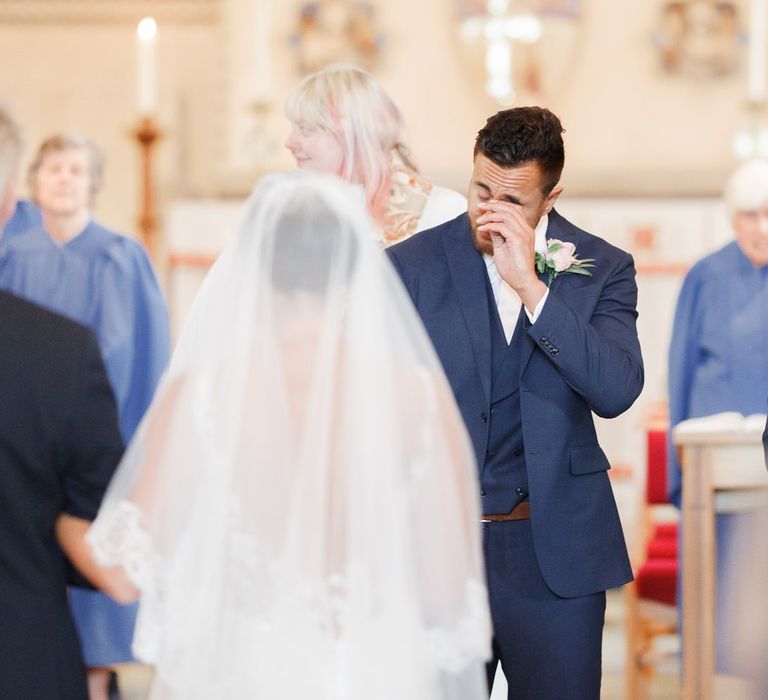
(524, 135)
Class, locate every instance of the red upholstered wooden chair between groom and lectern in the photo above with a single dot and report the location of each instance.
(652, 598)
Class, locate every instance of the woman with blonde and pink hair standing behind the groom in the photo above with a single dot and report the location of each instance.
(345, 124)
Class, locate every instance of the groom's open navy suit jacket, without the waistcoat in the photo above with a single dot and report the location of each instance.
(581, 356)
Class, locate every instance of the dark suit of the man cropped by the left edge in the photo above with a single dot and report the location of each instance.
(59, 445)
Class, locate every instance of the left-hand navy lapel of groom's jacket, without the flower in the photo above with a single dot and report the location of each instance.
(468, 274)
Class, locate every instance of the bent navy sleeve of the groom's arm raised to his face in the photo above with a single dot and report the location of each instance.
(598, 357)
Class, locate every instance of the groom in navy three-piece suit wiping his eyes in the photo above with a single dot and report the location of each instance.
(528, 363)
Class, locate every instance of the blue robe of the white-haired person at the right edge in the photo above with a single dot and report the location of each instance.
(718, 361)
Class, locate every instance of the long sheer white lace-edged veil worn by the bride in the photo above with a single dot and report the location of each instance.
(299, 506)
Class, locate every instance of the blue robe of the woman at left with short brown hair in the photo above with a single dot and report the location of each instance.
(105, 281)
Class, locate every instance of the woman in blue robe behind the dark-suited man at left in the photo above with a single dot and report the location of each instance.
(80, 269)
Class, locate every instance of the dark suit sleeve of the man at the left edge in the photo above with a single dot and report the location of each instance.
(93, 446)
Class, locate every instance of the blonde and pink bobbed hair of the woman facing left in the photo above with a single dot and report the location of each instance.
(350, 103)
